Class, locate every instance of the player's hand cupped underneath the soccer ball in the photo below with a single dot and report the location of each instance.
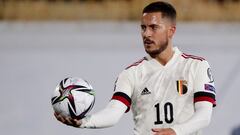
(68, 121)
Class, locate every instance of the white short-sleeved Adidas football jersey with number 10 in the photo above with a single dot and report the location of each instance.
(161, 96)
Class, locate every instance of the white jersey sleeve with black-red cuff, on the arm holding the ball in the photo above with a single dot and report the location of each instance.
(123, 89)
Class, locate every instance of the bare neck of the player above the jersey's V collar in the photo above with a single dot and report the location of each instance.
(166, 55)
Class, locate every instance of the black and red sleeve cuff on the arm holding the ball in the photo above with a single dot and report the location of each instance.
(124, 98)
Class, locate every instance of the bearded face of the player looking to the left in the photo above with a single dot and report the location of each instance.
(156, 32)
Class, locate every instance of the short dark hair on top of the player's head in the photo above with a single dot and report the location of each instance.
(165, 8)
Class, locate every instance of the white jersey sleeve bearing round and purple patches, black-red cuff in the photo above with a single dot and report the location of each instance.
(204, 89)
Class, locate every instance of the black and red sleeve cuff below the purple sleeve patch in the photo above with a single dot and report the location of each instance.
(205, 96)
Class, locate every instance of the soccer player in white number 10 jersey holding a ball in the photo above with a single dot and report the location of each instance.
(169, 92)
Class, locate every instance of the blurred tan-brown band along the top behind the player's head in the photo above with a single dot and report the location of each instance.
(189, 10)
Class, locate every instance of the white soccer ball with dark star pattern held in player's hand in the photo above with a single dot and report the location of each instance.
(73, 97)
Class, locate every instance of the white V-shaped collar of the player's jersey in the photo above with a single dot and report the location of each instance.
(170, 62)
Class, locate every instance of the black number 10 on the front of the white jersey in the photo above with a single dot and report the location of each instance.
(168, 113)
